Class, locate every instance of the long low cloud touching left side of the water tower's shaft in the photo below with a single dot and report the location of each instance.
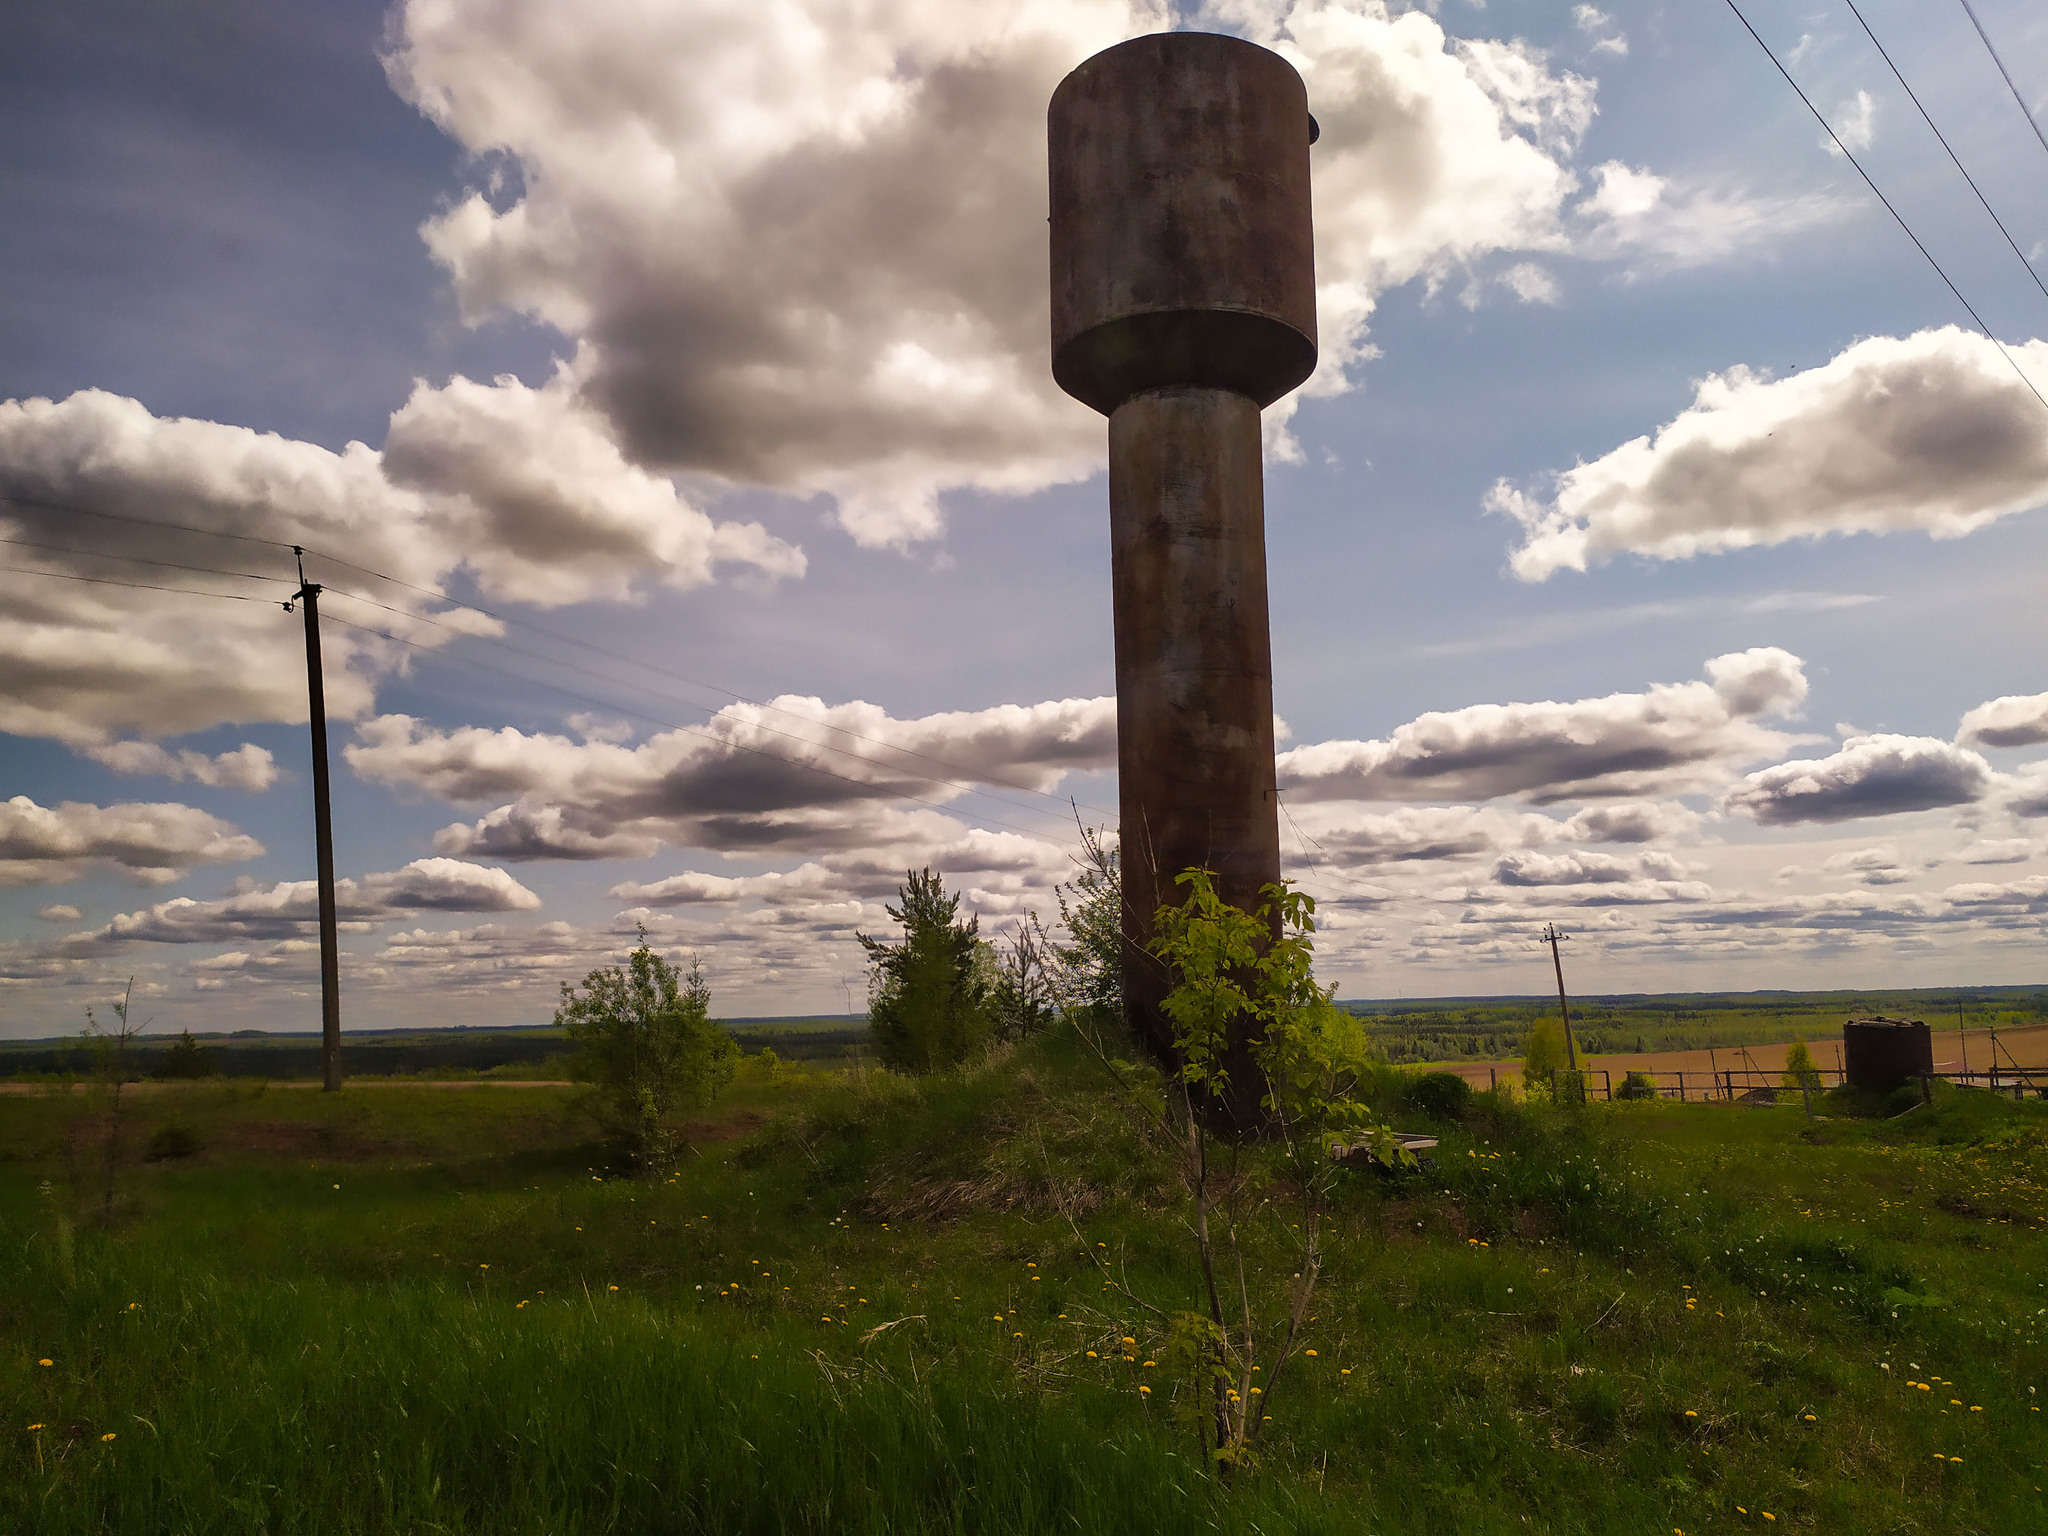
(794, 773)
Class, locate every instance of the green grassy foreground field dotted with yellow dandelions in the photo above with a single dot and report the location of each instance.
(873, 1306)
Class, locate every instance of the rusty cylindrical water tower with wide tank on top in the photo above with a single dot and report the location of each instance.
(1183, 306)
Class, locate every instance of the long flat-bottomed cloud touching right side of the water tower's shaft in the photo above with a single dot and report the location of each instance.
(1666, 740)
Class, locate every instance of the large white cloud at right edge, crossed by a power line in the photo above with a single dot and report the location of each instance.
(1932, 433)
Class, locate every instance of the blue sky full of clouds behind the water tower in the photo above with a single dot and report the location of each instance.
(660, 396)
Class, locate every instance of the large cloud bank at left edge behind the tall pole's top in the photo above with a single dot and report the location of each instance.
(546, 515)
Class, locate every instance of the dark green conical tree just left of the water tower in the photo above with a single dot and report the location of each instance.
(929, 1002)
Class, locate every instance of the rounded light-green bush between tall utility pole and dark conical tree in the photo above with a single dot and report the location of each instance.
(644, 1037)
